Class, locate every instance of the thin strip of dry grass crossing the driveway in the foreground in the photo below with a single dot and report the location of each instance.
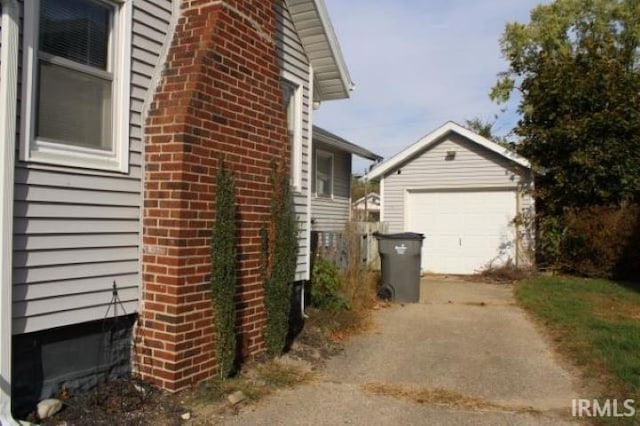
(438, 397)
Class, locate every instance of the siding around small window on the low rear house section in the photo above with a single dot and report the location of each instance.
(332, 214)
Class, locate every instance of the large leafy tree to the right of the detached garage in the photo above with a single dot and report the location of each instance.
(576, 65)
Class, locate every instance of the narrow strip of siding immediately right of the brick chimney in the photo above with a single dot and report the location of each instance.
(293, 59)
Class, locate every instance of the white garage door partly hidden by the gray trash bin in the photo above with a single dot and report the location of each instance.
(465, 231)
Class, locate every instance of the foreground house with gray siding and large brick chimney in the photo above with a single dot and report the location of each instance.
(127, 109)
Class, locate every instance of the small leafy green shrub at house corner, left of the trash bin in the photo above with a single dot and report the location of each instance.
(326, 282)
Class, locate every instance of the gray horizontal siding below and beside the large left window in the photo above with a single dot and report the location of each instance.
(78, 231)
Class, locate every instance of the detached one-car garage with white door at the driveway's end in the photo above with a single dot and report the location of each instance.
(463, 192)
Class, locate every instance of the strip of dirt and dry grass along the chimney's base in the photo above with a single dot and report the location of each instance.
(130, 402)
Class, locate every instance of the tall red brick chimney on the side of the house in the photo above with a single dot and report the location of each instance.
(220, 94)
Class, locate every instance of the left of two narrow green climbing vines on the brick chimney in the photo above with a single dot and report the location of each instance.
(223, 271)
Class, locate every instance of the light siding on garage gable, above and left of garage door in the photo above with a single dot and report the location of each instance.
(474, 167)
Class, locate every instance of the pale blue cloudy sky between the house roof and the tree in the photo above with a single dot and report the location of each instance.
(417, 64)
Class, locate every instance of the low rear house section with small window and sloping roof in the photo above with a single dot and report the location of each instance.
(331, 185)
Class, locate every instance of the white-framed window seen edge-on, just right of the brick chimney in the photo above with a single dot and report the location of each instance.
(292, 95)
